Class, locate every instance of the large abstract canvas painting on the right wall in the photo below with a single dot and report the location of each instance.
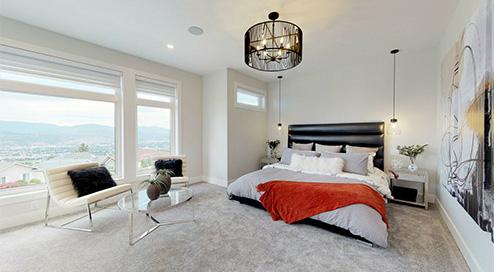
(466, 95)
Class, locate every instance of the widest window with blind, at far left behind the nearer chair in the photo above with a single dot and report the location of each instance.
(54, 112)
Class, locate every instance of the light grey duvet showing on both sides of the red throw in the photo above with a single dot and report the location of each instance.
(359, 219)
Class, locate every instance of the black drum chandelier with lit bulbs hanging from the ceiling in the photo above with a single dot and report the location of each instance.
(273, 46)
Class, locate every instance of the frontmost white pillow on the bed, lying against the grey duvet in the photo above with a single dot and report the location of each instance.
(313, 164)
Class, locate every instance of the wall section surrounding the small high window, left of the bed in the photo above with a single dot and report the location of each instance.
(247, 132)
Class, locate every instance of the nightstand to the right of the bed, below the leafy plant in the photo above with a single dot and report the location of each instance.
(418, 180)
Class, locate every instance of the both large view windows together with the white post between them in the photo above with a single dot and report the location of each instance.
(57, 111)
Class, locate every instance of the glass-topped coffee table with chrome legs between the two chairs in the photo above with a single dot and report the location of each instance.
(139, 202)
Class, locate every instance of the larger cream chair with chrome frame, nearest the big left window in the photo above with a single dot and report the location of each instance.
(61, 190)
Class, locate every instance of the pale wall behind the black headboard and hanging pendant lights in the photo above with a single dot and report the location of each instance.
(361, 91)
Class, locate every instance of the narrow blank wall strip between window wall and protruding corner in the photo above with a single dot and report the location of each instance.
(215, 128)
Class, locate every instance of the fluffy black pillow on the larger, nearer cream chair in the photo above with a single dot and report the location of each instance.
(90, 180)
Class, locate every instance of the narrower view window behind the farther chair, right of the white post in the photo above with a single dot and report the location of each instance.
(156, 104)
